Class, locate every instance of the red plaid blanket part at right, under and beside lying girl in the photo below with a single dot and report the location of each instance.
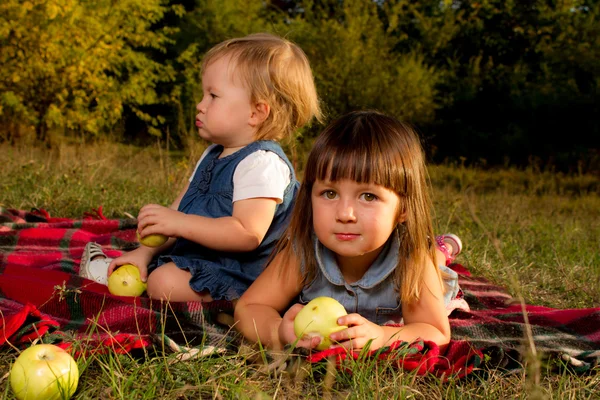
(494, 331)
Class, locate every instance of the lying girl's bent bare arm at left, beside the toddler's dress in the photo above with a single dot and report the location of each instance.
(258, 311)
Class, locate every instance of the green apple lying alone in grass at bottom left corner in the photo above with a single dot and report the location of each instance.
(44, 371)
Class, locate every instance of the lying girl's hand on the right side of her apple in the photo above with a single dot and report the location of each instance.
(360, 331)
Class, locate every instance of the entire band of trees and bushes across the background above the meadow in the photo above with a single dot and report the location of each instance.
(491, 81)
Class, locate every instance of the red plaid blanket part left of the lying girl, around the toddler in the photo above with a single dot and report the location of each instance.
(41, 291)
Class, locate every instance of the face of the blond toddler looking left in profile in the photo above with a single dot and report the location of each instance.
(225, 110)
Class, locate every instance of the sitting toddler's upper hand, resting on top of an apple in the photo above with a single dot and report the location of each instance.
(156, 219)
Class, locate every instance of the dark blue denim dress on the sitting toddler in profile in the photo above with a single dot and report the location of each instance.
(226, 275)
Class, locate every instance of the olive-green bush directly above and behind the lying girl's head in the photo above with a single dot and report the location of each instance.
(355, 64)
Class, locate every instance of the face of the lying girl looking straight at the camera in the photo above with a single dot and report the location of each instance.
(354, 220)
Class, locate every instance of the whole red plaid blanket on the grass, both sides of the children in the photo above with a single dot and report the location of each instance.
(42, 296)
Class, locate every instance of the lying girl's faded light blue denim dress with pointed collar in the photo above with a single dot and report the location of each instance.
(374, 296)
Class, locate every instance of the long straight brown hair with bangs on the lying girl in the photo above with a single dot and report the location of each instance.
(367, 146)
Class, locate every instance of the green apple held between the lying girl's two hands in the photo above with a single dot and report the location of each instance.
(319, 318)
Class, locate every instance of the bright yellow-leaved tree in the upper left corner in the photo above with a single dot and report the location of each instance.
(75, 65)
